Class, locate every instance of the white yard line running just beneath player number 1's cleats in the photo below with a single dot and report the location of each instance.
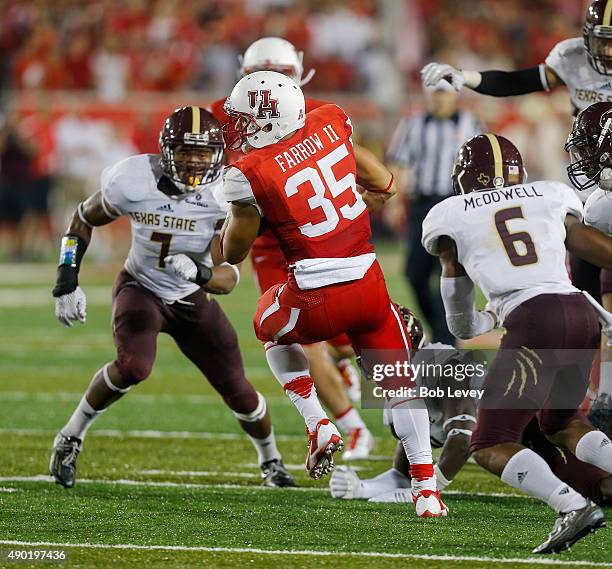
(168, 484)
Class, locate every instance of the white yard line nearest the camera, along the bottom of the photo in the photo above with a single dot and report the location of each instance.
(308, 552)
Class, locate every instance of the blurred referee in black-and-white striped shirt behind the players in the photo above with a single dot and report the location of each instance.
(426, 144)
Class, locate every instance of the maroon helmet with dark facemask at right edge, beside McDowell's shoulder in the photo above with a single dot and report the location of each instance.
(590, 145)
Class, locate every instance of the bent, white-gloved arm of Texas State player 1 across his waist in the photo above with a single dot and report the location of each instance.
(221, 278)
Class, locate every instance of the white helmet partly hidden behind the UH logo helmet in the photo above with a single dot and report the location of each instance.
(274, 54)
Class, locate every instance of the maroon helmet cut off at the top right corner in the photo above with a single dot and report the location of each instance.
(597, 35)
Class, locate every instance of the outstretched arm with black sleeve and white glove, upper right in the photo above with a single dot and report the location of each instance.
(495, 83)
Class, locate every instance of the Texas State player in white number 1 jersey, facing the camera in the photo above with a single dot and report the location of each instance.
(173, 261)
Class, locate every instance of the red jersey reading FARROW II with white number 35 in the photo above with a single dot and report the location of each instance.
(306, 189)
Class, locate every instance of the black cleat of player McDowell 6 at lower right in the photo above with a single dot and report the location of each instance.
(571, 527)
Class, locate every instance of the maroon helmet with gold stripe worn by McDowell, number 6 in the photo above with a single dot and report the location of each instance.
(486, 162)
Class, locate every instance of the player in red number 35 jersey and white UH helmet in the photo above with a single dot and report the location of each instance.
(300, 174)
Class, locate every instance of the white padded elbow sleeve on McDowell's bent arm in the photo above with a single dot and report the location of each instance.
(463, 320)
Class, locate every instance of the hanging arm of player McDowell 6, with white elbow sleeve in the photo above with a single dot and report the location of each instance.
(458, 296)
